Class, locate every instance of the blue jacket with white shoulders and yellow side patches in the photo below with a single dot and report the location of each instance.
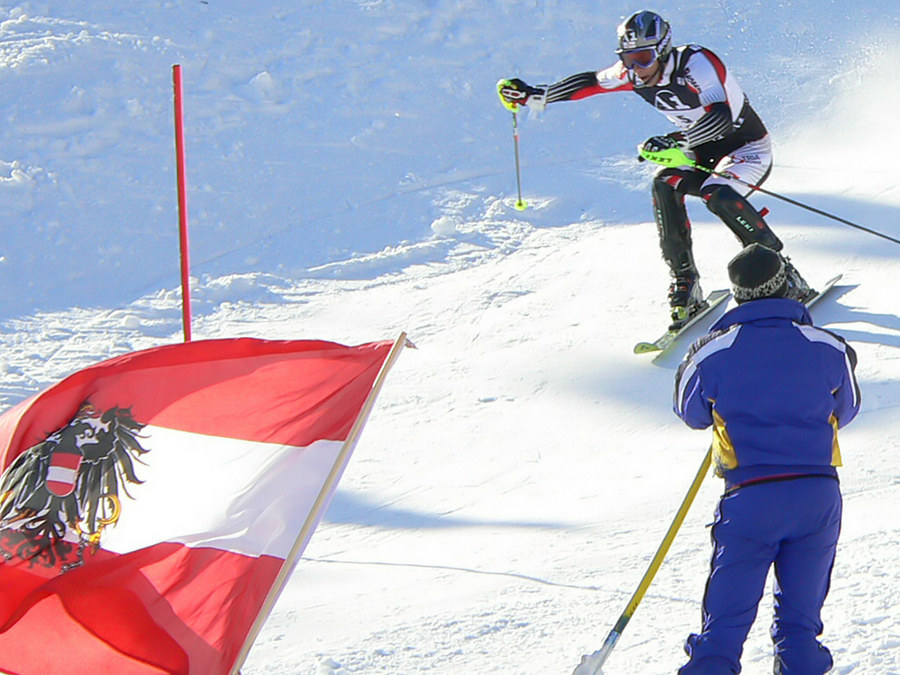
(774, 388)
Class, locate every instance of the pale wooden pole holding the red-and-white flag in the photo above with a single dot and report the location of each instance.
(320, 504)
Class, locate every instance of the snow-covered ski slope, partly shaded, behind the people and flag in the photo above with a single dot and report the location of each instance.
(351, 176)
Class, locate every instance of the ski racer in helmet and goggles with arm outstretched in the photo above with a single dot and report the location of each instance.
(718, 129)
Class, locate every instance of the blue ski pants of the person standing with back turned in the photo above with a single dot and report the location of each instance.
(794, 525)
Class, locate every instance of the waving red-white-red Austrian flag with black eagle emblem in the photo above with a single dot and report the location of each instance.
(152, 506)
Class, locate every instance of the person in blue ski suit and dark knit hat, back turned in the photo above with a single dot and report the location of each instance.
(775, 389)
